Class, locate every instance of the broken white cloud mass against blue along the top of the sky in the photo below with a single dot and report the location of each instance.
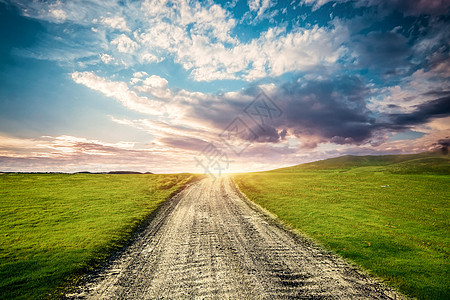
(200, 37)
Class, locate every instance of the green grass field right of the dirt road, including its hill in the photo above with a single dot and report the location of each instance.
(389, 214)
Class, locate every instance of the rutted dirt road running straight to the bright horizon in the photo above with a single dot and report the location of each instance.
(209, 242)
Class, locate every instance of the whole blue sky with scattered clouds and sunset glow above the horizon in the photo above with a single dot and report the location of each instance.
(219, 86)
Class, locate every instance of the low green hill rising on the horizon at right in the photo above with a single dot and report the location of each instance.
(420, 163)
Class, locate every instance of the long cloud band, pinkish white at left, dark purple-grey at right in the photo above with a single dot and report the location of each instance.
(315, 110)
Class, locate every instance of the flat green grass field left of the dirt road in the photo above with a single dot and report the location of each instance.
(57, 226)
